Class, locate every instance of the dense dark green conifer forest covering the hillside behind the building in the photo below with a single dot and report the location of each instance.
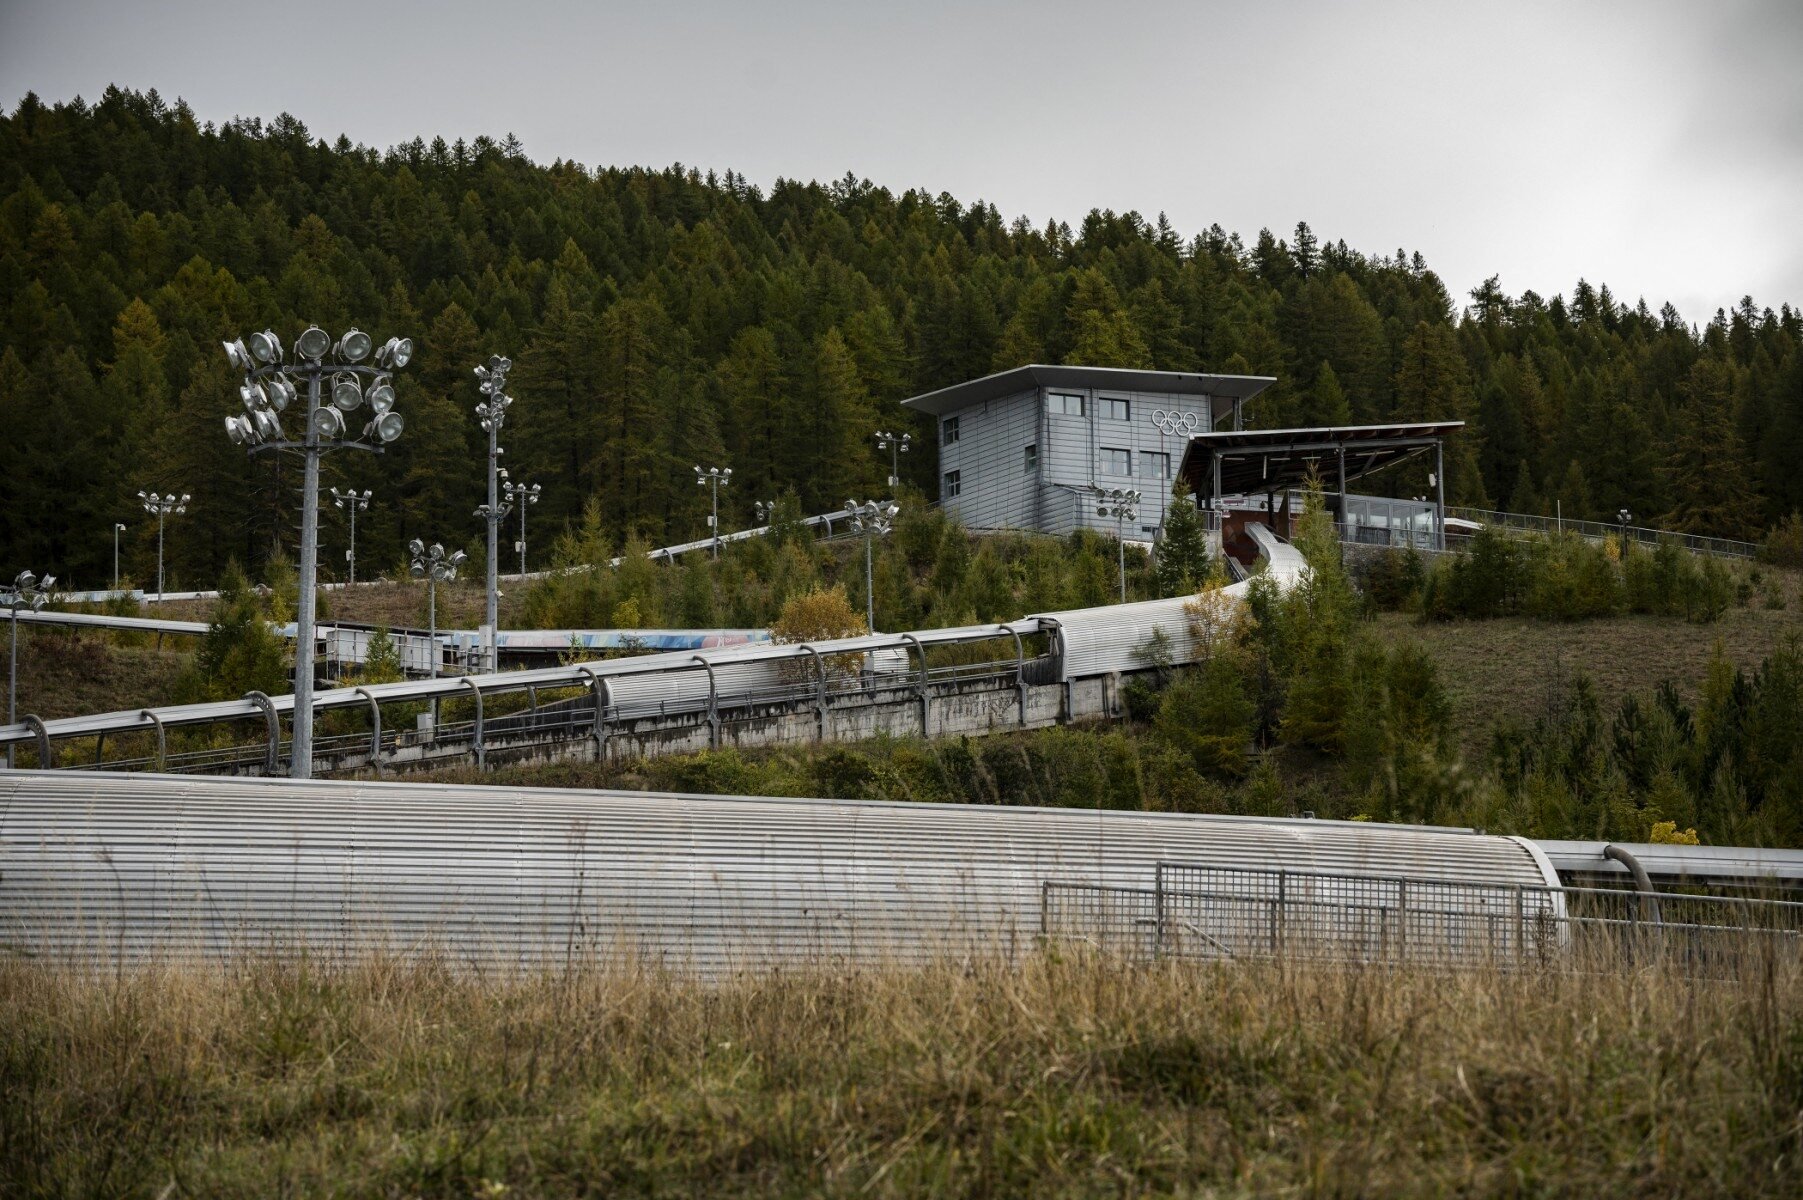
(682, 316)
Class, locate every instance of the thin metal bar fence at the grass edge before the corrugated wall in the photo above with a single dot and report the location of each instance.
(1209, 913)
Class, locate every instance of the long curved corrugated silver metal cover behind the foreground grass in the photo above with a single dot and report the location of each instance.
(131, 868)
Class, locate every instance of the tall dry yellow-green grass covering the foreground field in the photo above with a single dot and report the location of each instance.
(1059, 1077)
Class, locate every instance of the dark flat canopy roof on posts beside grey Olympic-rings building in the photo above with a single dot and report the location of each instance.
(1263, 460)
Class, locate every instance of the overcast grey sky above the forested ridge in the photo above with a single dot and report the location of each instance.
(1654, 147)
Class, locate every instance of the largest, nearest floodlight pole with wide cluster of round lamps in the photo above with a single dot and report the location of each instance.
(334, 394)
